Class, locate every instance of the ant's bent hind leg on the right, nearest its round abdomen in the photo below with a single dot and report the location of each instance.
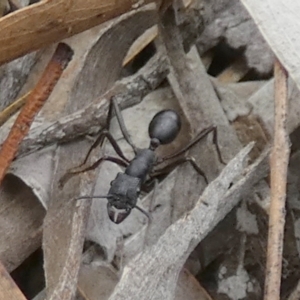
(195, 140)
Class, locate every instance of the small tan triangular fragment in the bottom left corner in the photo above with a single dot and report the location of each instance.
(8, 288)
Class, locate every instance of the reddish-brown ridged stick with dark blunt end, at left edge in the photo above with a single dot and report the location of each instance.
(35, 102)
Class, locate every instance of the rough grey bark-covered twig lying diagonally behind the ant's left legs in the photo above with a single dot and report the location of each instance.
(128, 91)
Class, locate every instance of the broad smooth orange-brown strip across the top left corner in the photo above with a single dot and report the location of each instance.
(49, 21)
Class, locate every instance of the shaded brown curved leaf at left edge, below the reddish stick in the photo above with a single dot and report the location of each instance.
(21, 219)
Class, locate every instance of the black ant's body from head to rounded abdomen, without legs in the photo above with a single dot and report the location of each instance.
(125, 188)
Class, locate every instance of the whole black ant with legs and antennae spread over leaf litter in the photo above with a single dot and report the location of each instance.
(126, 187)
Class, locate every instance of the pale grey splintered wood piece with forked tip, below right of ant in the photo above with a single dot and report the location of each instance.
(153, 273)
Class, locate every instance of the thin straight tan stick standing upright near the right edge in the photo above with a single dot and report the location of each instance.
(278, 166)
